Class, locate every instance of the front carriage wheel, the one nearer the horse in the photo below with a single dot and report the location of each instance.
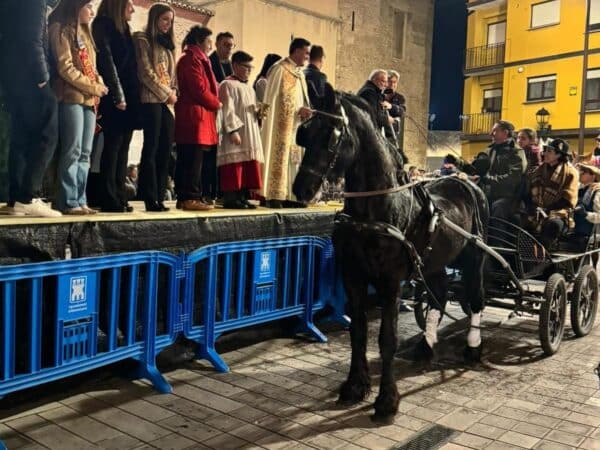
(553, 314)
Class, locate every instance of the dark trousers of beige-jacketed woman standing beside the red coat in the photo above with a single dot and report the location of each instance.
(158, 139)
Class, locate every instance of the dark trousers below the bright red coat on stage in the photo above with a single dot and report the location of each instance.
(188, 171)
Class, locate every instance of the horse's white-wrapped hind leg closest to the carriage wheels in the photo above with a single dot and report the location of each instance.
(475, 295)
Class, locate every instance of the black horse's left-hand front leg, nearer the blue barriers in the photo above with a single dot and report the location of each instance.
(358, 385)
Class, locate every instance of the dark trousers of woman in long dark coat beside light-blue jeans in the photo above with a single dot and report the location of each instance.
(113, 167)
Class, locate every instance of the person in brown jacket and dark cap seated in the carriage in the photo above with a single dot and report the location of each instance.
(553, 194)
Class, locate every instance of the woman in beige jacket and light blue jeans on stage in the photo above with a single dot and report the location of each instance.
(78, 88)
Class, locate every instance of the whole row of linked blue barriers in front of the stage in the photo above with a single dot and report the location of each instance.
(62, 318)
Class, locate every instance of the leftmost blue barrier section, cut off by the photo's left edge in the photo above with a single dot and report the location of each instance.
(66, 317)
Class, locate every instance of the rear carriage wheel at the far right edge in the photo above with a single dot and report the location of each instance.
(584, 301)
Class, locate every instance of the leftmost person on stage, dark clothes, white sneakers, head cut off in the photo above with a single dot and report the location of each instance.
(34, 113)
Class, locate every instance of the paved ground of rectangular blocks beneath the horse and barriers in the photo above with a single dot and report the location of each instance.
(281, 394)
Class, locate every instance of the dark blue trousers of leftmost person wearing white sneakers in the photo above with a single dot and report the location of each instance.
(34, 136)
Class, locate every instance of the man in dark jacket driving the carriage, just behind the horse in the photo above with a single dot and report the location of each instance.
(503, 181)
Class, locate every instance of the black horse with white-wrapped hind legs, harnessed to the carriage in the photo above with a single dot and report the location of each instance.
(341, 140)
